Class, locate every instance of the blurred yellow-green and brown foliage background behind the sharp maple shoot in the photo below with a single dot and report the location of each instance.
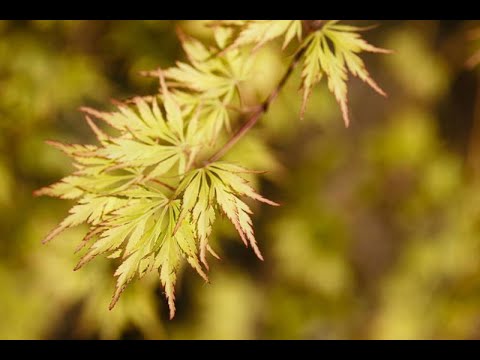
(379, 233)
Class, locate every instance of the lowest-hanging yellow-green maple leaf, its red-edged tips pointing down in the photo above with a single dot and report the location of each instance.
(145, 229)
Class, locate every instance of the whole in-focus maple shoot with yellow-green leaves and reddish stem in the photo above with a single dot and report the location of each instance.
(151, 193)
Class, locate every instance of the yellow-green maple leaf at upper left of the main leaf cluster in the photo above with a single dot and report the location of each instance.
(155, 142)
